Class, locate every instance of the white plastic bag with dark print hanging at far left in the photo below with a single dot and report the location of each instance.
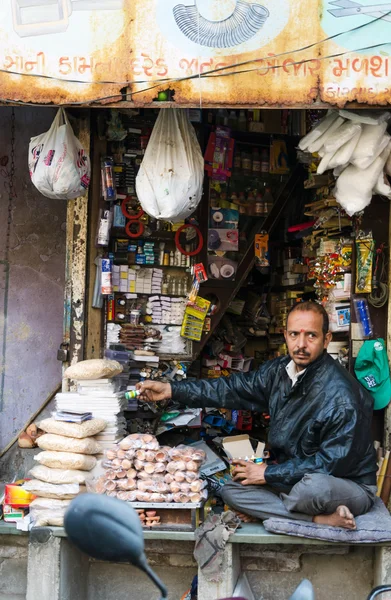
(58, 164)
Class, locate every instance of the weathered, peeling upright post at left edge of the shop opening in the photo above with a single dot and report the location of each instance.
(76, 264)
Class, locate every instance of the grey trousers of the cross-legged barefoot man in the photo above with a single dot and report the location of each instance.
(315, 494)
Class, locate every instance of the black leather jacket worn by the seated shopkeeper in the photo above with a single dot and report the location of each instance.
(321, 425)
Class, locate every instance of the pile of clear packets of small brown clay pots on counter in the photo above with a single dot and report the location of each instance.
(138, 469)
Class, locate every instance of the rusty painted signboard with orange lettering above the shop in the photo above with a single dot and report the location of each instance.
(210, 52)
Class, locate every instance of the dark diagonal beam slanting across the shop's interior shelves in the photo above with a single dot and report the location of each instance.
(226, 291)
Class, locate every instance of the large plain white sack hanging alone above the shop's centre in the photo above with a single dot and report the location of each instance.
(169, 182)
